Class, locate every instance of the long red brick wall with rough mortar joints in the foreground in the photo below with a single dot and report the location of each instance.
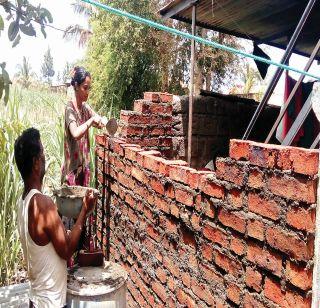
(242, 236)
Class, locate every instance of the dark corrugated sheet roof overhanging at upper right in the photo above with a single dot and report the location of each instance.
(265, 21)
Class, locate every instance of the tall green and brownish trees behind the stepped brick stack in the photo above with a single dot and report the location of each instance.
(127, 58)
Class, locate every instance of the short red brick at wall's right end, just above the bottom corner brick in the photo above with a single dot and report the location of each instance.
(299, 276)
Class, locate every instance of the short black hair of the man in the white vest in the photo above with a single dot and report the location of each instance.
(26, 147)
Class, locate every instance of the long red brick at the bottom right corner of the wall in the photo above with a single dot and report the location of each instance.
(272, 290)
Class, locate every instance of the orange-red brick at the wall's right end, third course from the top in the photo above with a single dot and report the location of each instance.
(302, 219)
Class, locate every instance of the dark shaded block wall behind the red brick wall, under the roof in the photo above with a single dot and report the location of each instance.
(216, 119)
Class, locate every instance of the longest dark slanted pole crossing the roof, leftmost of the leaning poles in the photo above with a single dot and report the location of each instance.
(279, 70)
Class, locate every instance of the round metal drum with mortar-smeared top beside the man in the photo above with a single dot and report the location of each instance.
(93, 287)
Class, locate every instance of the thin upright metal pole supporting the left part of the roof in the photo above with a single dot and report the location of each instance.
(191, 92)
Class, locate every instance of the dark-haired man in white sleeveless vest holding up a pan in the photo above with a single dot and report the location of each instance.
(45, 242)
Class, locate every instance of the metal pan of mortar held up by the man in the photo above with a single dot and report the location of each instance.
(69, 199)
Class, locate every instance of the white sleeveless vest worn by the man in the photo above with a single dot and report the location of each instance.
(47, 271)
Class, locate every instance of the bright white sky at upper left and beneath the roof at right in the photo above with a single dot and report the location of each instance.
(62, 51)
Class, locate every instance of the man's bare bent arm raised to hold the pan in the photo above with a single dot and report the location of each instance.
(64, 244)
